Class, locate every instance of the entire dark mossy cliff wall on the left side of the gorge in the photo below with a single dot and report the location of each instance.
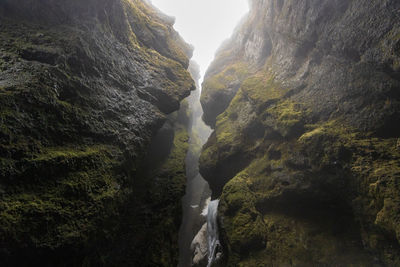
(85, 87)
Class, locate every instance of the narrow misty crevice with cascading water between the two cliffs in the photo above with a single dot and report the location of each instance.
(199, 243)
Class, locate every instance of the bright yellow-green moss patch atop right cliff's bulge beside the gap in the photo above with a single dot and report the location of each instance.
(256, 106)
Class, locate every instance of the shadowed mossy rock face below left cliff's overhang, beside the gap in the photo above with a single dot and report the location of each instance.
(154, 235)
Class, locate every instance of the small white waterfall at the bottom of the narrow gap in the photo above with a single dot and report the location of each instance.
(212, 232)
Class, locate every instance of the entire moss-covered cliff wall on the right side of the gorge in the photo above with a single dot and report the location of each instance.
(305, 155)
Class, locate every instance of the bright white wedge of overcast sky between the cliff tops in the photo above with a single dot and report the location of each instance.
(204, 23)
